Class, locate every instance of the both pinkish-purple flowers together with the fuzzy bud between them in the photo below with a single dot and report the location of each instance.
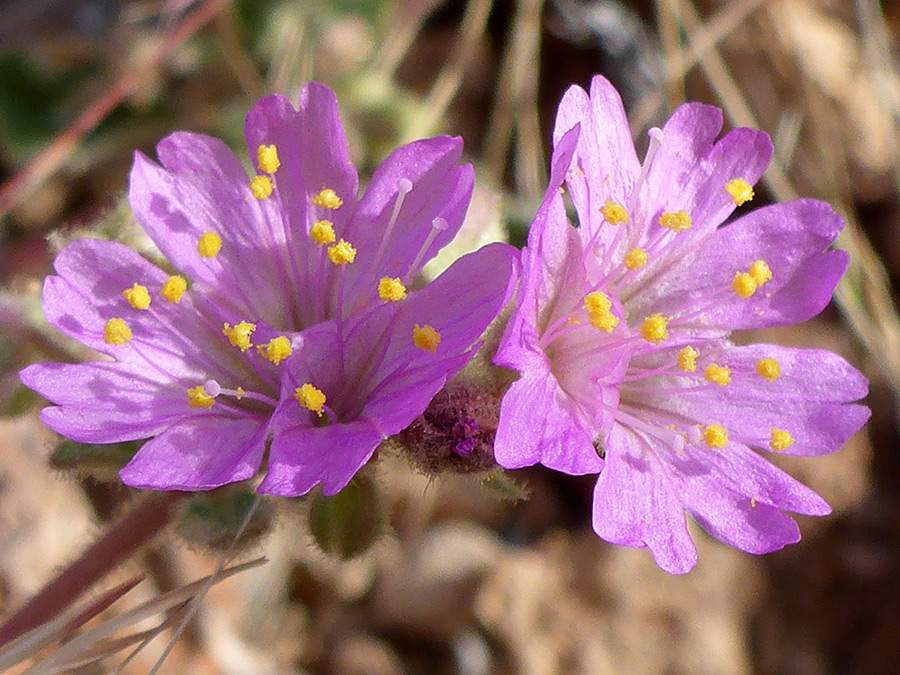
(296, 326)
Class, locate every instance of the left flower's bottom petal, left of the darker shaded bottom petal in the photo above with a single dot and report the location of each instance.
(200, 453)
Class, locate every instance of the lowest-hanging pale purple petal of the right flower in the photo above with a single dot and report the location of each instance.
(635, 504)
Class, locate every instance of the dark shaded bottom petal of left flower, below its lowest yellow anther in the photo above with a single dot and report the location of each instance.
(303, 457)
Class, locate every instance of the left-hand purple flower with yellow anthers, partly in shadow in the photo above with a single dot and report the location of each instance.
(291, 318)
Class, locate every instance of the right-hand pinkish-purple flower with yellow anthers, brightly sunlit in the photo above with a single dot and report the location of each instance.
(621, 334)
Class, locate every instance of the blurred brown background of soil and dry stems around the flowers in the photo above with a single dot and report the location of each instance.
(451, 575)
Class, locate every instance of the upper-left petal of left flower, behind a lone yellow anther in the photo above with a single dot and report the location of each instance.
(203, 188)
